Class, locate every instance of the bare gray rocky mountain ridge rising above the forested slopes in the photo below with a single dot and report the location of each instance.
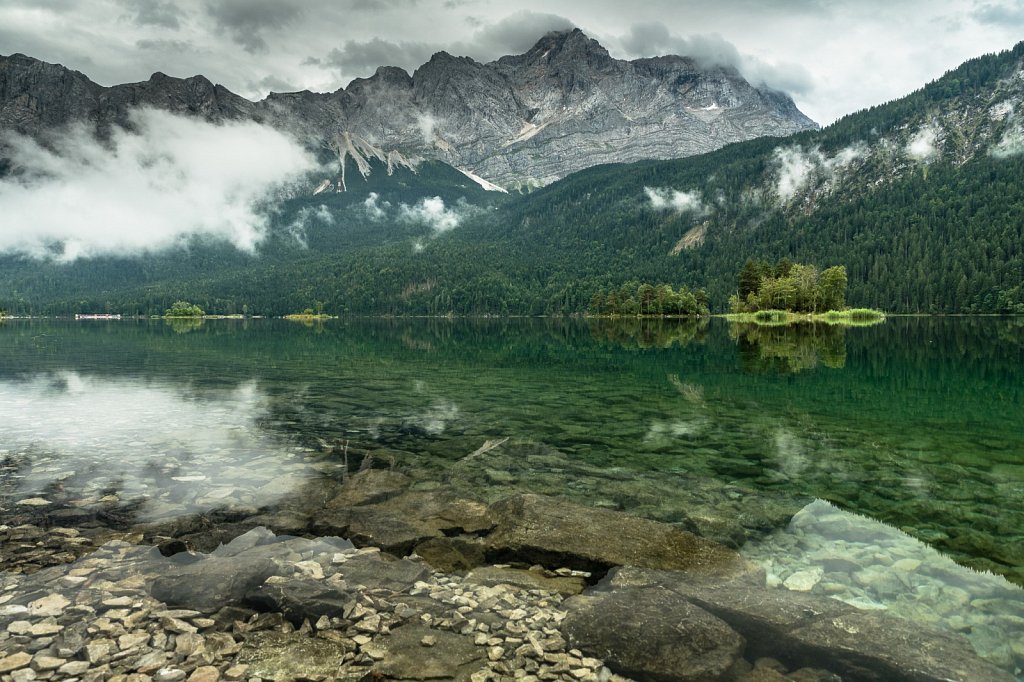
(530, 119)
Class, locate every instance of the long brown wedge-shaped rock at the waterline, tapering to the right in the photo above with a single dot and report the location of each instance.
(556, 534)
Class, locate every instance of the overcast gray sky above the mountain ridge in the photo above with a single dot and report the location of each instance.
(834, 57)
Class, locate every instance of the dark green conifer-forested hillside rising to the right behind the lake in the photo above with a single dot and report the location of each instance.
(922, 200)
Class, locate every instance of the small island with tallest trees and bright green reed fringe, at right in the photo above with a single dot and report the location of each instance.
(789, 293)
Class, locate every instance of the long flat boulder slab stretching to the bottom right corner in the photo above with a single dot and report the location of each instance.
(804, 630)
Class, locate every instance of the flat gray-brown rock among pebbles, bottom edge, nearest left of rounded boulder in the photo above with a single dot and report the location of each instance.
(452, 657)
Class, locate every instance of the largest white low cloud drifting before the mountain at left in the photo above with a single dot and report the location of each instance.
(170, 179)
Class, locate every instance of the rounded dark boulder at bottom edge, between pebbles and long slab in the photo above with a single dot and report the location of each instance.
(652, 634)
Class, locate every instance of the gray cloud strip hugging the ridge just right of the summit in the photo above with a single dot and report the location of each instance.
(655, 39)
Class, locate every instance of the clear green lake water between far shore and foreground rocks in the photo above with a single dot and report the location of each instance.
(727, 432)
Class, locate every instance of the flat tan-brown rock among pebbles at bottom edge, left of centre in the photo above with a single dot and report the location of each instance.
(274, 656)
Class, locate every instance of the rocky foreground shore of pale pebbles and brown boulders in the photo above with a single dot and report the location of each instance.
(428, 585)
